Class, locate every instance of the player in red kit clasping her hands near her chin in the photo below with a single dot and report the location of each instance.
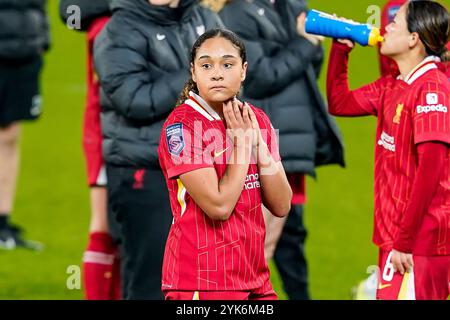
(221, 163)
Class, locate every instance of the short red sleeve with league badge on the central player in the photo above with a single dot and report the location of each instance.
(182, 150)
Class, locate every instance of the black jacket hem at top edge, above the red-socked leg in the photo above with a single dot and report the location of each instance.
(89, 11)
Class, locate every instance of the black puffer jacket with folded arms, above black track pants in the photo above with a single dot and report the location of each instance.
(142, 60)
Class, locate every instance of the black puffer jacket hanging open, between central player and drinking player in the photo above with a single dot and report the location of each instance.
(282, 79)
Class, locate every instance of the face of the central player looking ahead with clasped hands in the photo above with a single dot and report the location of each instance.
(218, 71)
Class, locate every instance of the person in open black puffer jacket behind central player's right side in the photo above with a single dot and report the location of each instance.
(284, 64)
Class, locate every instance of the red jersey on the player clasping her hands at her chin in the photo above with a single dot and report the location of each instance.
(201, 253)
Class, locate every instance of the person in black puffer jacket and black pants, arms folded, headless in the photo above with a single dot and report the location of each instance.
(141, 58)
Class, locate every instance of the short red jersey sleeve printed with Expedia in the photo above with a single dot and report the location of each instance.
(431, 116)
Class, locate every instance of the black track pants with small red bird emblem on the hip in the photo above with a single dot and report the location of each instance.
(139, 217)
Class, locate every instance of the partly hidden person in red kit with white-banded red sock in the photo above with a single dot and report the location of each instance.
(101, 265)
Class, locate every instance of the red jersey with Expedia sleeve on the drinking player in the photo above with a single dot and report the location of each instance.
(409, 112)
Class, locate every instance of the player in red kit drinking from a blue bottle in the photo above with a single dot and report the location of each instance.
(412, 152)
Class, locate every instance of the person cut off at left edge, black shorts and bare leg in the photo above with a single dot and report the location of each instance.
(24, 37)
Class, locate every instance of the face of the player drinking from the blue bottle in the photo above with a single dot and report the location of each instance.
(397, 37)
